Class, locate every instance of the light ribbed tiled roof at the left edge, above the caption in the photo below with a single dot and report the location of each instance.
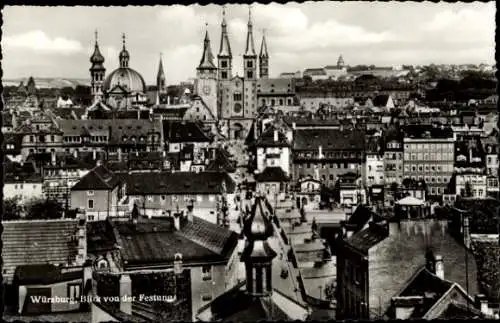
(37, 242)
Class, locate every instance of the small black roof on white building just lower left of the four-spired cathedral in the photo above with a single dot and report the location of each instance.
(175, 131)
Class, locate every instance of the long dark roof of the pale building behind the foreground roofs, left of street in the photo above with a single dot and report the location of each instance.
(179, 183)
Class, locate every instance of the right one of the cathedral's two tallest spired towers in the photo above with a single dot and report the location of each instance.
(250, 72)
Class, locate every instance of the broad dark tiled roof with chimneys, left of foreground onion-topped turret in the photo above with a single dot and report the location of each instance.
(156, 241)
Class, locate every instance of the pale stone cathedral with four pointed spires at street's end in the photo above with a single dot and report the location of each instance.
(232, 98)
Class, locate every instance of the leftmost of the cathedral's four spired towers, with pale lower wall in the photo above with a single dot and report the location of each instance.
(206, 80)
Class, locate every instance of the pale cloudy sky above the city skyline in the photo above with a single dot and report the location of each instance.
(57, 41)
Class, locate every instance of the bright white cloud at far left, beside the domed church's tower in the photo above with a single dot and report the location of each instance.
(38, 40)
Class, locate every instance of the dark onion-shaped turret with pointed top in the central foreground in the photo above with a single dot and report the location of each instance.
(257, 254)
